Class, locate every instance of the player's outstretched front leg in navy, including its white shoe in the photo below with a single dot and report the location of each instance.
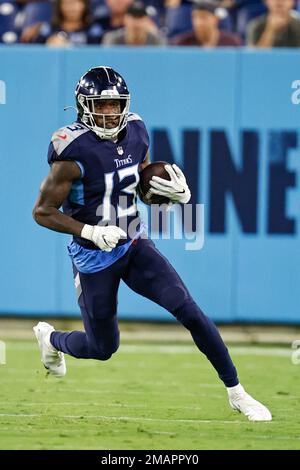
(151, 275)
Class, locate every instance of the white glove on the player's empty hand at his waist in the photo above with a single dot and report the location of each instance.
(106, 238)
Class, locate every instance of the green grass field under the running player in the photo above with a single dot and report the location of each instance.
(148, 396)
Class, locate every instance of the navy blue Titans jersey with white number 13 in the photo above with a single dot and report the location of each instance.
(106, 192)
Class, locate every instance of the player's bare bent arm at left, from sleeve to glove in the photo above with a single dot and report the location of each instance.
(54, 190)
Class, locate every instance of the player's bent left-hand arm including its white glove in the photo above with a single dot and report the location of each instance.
(54, 190)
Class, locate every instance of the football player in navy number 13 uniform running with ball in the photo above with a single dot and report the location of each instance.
(94, 172)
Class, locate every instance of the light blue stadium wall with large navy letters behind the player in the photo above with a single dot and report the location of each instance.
(227, 117)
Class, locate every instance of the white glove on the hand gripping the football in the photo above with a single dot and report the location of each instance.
(176, 190)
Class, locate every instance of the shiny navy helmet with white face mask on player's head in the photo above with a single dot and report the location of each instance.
(96, 89)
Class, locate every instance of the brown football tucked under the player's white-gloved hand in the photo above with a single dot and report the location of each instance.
(153, 169)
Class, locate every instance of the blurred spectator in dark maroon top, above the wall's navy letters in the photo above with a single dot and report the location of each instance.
(206, 31)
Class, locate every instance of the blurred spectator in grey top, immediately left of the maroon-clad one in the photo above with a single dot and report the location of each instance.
(138, 29)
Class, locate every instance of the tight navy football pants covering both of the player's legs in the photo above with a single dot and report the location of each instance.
(147, 272)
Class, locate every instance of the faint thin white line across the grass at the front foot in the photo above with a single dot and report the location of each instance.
(127, 418)
